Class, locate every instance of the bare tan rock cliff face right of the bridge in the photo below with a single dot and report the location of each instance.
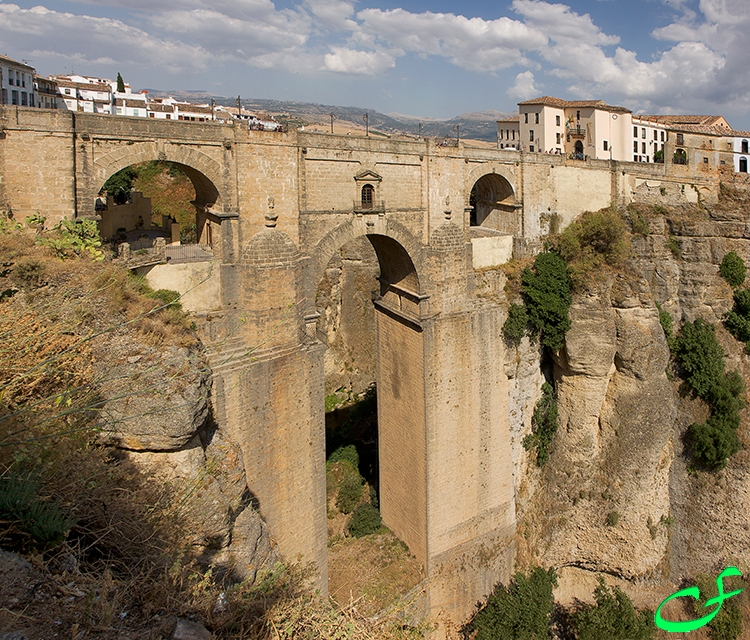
(616, 496)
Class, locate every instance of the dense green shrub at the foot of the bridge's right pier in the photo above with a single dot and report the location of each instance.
(520, 611)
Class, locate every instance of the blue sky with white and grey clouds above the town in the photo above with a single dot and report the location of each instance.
(429, 59)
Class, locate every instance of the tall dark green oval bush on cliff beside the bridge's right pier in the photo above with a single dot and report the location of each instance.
(546, 291)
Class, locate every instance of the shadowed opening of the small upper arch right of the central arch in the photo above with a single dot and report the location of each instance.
(492, 202)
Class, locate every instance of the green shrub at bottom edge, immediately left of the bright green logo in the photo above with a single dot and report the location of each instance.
(612, 617)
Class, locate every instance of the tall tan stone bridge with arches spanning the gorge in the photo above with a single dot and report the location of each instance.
(276, 207)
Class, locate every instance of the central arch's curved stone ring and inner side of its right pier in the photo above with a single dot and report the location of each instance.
(400, 374)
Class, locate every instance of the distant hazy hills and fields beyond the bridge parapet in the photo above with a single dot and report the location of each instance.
(478, 125)
